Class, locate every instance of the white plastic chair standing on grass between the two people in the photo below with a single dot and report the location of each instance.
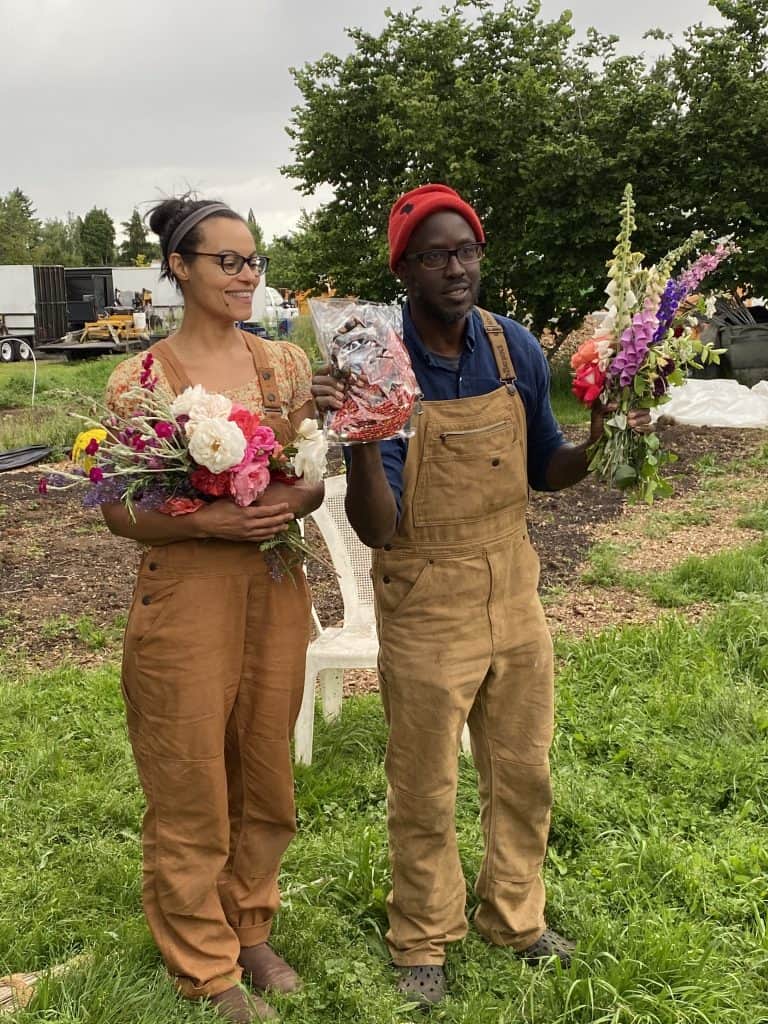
(354, 646)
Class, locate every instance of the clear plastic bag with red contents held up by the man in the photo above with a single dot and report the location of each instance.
(363, 343)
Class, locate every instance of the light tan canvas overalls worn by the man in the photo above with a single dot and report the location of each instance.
(463, 638)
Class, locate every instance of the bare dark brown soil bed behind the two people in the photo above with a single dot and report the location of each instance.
(58, 560)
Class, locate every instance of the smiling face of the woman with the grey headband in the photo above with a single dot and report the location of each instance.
(206, 284)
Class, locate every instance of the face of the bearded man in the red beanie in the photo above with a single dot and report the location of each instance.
(449, 294)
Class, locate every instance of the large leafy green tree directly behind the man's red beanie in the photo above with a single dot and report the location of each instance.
(539, 134)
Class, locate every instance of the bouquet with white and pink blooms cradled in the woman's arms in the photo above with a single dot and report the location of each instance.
(173, 457)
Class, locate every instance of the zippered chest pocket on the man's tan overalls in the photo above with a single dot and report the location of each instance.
(468, 475)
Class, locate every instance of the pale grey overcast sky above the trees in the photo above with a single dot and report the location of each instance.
(115, 103)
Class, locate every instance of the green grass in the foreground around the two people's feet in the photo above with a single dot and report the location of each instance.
(658, 859)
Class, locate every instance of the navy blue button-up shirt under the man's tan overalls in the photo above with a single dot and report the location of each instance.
(478, 374)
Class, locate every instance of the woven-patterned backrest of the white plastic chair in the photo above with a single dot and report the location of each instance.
(351, 557)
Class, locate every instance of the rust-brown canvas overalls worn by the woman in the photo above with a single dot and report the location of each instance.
(214, 672)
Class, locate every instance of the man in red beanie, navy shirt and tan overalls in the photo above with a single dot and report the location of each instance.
(463, 637)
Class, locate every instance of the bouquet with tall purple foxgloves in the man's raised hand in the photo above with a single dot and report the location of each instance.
(641, 350)
